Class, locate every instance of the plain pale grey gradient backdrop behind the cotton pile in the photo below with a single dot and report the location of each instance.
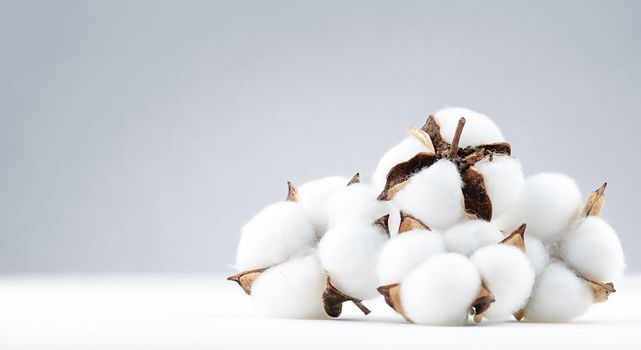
(139, 136)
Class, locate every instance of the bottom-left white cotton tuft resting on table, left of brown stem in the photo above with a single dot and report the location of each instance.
(292, 289)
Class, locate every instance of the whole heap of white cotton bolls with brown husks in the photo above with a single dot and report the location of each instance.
(448, 229)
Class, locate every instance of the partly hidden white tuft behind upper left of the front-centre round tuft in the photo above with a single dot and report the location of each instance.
(405, 252)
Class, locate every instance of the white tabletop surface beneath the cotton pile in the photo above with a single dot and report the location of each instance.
(208, 312)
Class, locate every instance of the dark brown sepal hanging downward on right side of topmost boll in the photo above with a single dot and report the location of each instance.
(477, 201)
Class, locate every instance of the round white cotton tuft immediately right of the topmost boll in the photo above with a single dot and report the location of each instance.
(548, 204)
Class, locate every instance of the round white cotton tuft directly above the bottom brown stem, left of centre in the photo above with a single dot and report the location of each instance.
(349, 254)
